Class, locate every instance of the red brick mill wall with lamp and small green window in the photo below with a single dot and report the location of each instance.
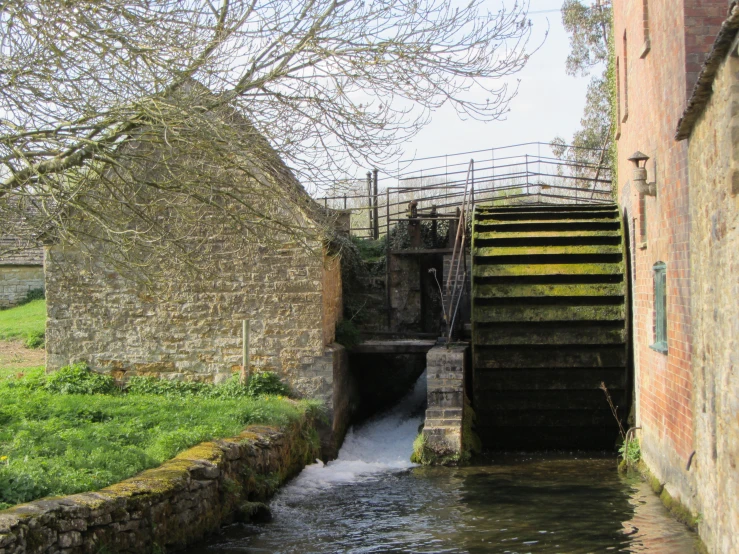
(658, 84)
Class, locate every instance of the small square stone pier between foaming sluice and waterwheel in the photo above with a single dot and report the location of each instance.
(445, 413)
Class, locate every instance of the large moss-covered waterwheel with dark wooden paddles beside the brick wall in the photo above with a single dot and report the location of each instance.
(548, 325)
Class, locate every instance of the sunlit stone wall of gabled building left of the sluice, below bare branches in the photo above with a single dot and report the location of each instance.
(290, 293)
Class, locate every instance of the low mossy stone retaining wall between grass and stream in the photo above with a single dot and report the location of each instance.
(166, 508)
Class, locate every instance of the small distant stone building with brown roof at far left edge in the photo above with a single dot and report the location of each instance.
(21, 271)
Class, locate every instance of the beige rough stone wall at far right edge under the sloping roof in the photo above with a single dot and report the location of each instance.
(714, 252)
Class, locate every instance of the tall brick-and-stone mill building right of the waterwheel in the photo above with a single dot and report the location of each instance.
(684, 263)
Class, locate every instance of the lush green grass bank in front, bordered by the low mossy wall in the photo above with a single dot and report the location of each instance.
(56, 444)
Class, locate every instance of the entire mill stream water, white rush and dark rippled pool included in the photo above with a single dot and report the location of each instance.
(372, 499)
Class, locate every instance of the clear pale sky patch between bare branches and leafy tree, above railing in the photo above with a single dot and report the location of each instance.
(549, 102)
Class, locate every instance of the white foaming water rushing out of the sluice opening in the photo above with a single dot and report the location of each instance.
(382, 444)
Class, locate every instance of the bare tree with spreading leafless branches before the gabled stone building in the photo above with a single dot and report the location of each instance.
(143, 123)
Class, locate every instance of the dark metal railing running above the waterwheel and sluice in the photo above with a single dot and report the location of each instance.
(521, 173)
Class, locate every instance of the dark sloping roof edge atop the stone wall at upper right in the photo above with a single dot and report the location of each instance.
(704, 86)
